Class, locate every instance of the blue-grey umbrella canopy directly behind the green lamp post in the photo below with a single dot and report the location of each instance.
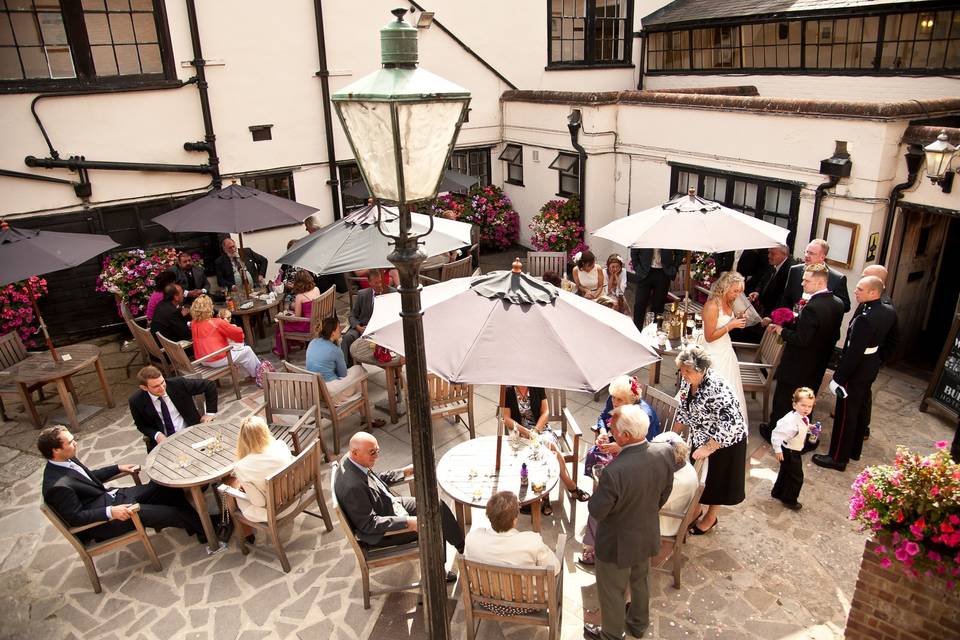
(354, 242)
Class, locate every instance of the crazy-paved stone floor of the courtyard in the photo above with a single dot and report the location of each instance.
(764, 572)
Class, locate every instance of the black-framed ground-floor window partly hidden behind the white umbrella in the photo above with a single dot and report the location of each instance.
(770, 200)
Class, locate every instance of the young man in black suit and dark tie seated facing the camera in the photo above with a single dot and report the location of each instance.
(163, 407)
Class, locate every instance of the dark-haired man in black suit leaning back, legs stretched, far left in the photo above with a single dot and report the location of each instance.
(79, 497)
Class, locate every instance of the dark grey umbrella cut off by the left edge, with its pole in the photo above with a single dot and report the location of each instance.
(25, 253)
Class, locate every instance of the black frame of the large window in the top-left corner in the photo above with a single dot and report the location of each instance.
(73, 16)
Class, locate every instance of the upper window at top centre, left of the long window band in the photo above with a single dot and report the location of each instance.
(589, 31)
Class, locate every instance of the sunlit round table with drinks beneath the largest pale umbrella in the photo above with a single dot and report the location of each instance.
(467, 474)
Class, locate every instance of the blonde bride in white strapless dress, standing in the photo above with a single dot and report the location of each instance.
(718, 321)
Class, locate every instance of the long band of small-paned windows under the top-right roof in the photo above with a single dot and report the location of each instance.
(919, 41)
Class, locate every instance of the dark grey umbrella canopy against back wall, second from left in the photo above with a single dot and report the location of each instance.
(235, 209)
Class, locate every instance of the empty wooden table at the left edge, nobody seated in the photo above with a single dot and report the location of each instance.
(39, 369)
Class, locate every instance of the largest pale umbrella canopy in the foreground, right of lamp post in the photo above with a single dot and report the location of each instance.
(511, 329)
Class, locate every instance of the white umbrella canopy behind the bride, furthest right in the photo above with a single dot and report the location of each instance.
(693, 224)
